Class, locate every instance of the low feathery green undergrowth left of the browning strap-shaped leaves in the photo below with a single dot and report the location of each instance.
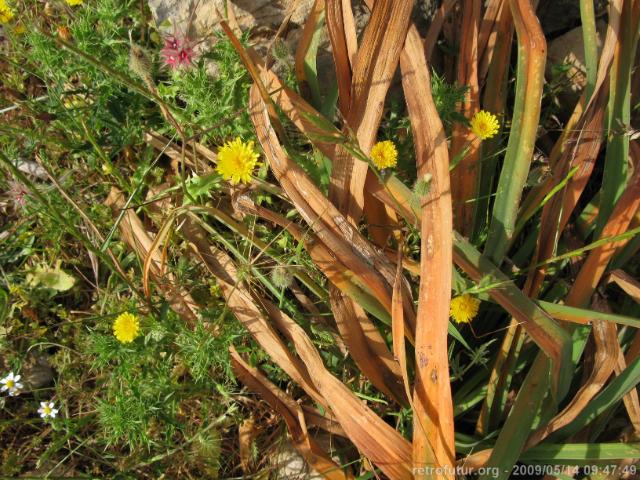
(82, 115)
